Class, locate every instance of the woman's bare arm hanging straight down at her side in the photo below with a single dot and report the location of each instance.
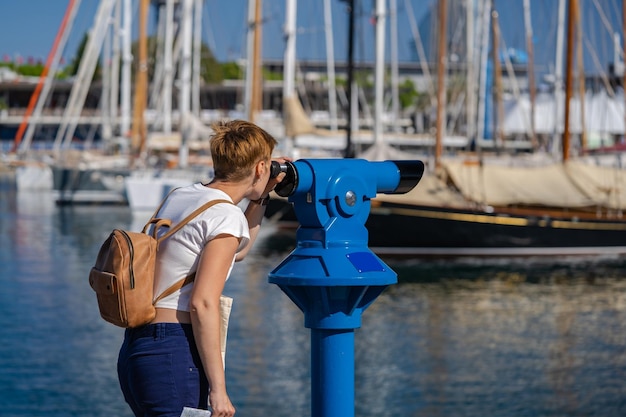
(213, 268)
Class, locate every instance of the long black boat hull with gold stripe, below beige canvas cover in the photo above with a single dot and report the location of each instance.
(422, 231)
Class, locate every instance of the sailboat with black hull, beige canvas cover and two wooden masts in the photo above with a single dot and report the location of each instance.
(489, 205)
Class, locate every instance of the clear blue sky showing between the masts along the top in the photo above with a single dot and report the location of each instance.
(28, 28)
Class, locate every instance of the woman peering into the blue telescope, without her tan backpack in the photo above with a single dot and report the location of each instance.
(176, 361)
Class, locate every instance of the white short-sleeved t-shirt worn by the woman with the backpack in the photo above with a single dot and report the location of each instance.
(179, 254)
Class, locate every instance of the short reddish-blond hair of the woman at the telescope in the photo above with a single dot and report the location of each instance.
(236, 147)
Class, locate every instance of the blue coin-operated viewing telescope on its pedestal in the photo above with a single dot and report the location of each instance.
(331, 275)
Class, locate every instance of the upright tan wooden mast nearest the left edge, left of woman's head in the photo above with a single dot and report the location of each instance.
(138, 135)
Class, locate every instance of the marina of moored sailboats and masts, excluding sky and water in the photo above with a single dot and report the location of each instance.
(487, 152)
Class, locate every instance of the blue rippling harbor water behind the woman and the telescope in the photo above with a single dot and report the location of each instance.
(531, 338)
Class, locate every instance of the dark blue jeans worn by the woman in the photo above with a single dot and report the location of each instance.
(160, 371)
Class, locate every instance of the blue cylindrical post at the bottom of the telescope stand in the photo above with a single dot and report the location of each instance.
(332, 373)
